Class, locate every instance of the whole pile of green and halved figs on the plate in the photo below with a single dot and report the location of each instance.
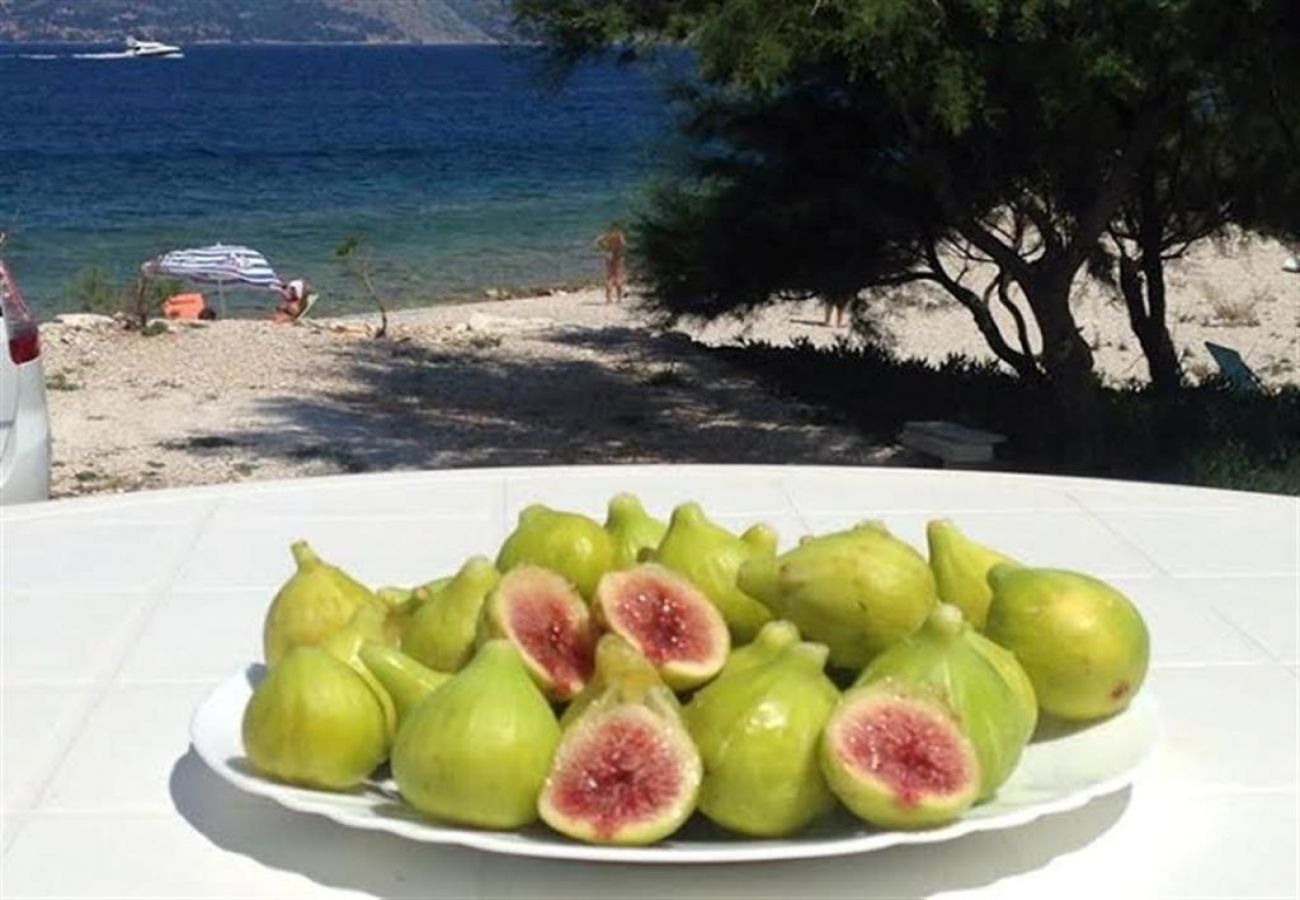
(613, 681)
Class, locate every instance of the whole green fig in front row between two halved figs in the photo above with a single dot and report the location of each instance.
(757, 730)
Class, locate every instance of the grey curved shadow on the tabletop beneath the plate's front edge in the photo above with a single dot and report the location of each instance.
(388, 866)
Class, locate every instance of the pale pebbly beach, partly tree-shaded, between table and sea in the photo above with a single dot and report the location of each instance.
(556, 379)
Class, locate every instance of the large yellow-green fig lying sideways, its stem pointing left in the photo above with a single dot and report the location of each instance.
(856, 591)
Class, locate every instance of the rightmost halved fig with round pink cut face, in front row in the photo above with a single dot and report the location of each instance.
(899, 760)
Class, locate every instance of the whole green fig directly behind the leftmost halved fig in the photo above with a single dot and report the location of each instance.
(565, 543)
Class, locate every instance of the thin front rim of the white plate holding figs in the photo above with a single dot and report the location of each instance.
(760, 851)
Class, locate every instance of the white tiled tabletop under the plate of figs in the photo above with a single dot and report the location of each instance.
(119, 615)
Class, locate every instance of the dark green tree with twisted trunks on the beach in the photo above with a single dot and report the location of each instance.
(998, 149)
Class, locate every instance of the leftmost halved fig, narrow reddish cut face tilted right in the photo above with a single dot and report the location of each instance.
(545, 618)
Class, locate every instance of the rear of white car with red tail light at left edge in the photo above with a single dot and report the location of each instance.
(24, 416)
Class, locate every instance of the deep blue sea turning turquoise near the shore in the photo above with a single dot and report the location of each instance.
(460, 166)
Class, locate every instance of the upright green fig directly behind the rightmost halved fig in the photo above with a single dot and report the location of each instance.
(943, 660)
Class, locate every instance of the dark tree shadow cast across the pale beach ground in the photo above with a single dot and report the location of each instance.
(603, 396)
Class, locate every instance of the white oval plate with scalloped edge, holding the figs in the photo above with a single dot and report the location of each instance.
(1058, 773)
